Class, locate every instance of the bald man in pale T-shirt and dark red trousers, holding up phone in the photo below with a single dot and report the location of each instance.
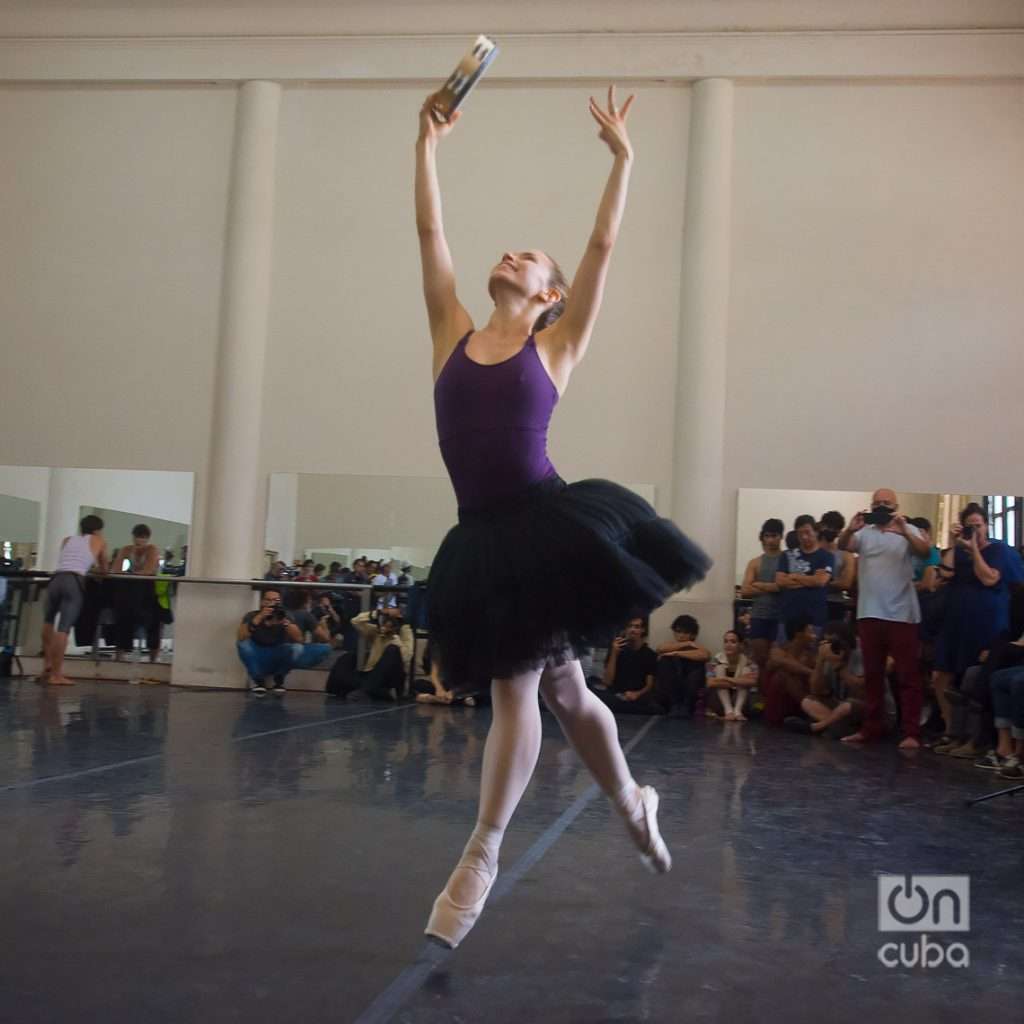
(888, 614)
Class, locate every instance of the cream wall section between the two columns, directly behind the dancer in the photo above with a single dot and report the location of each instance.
(349, 330)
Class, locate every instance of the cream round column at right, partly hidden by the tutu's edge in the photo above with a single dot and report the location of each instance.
(700, 424)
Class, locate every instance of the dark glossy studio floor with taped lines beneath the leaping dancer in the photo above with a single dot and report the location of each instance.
(183, 857)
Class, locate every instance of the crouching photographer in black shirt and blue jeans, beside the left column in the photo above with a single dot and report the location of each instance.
(270, 644)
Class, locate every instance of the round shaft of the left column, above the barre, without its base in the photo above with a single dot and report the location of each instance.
(236, 494)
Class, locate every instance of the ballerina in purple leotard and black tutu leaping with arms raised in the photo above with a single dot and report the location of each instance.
(496, 612)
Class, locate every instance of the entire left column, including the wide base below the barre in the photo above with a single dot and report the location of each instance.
(229, 533)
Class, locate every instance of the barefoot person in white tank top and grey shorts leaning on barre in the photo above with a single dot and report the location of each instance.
(66, 594)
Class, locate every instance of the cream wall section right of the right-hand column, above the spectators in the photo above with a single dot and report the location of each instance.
(876, 302)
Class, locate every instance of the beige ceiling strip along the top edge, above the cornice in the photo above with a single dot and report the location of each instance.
(251, 18)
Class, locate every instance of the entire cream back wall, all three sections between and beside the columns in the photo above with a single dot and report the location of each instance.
(875, 297)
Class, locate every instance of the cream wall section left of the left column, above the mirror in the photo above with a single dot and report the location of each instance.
(114, 216)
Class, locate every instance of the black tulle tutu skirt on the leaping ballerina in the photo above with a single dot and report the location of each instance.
(548, 573)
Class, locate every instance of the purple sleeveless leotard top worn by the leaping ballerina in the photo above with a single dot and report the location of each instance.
(493, 424)
